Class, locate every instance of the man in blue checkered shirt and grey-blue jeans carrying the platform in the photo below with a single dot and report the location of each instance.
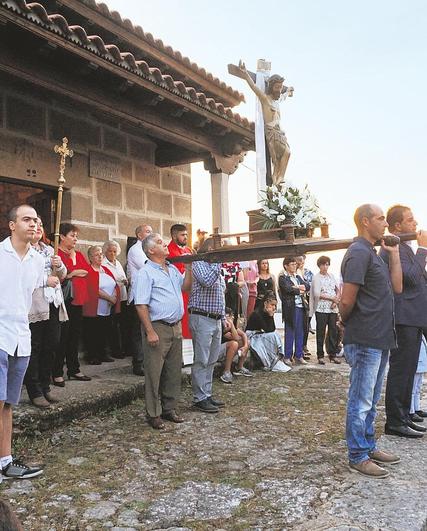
(207, 311)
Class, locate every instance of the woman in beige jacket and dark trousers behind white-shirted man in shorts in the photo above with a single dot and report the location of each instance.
(47, 311)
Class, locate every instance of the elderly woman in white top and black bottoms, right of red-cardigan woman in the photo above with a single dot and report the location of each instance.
(119, 331)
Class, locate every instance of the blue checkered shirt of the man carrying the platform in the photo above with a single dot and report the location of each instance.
(207, 292)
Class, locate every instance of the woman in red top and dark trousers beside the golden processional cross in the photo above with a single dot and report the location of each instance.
(75, 295)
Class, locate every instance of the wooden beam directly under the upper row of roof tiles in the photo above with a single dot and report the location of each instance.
(174, 65)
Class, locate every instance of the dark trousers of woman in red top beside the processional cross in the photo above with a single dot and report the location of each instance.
(68, 349)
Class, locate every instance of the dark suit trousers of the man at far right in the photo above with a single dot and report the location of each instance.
(400, 379)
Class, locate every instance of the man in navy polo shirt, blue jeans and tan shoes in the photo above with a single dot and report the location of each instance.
(367, 312)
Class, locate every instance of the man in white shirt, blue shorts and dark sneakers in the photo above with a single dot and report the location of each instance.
(22, 271)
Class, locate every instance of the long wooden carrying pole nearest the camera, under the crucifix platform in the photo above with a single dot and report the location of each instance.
(273, 249)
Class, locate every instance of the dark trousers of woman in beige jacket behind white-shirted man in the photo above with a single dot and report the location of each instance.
(44, 343)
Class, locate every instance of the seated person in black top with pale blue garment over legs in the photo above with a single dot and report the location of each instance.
(264, 340)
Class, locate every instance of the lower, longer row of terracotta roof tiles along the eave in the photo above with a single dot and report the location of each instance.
(59, 25)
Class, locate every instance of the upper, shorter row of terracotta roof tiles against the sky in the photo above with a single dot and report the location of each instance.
(159, 44)
